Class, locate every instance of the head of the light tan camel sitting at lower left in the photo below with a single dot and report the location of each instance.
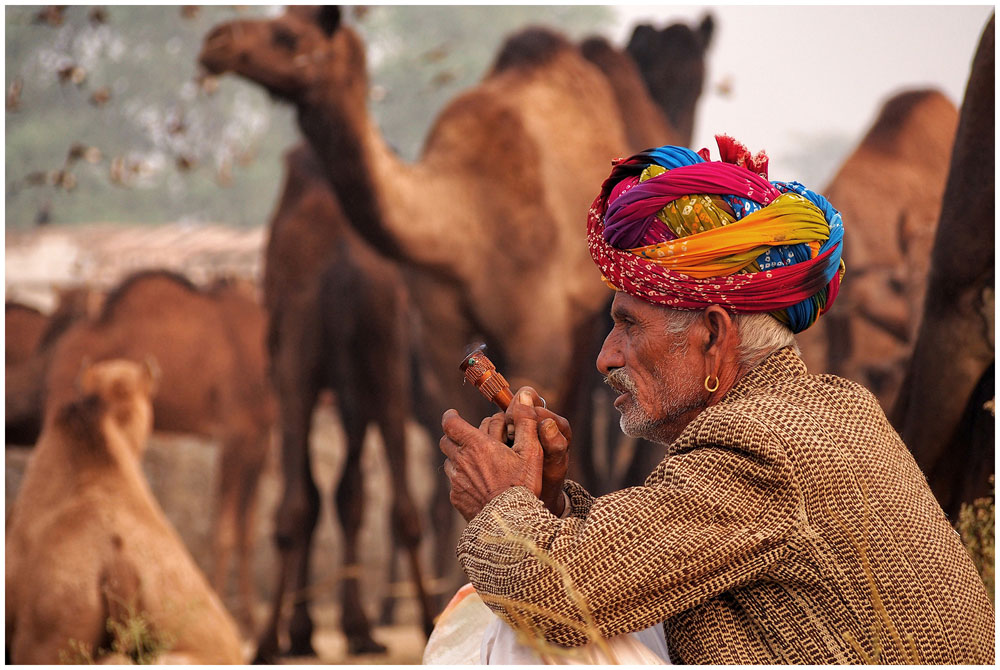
(123, 390)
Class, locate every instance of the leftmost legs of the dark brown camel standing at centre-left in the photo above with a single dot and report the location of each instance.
(295, 522)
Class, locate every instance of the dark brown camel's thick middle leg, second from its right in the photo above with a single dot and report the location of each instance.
(350, 507)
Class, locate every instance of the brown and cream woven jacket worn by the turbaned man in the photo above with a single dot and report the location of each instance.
(787, 524)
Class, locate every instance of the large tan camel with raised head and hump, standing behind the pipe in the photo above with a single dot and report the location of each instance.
(511, 165)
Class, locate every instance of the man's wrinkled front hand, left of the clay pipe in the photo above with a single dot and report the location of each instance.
(480, 466)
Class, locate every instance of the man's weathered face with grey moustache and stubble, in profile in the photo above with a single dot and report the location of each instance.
(660, 383)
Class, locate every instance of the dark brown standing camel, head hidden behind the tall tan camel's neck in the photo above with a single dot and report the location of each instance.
(338, 320)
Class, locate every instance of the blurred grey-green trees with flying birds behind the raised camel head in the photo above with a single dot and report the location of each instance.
(107, 119)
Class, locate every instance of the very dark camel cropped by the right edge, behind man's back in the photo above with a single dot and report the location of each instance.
(942, 412)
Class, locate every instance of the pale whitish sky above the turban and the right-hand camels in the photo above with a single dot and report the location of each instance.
(806, 82)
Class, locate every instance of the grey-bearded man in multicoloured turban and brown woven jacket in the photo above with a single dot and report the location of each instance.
(788, 523)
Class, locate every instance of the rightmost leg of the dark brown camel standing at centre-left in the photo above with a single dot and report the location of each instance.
(406, 526)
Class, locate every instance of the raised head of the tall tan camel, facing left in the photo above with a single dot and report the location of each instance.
(305, 50)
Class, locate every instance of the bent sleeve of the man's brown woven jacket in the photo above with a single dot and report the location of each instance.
(712, 516)
